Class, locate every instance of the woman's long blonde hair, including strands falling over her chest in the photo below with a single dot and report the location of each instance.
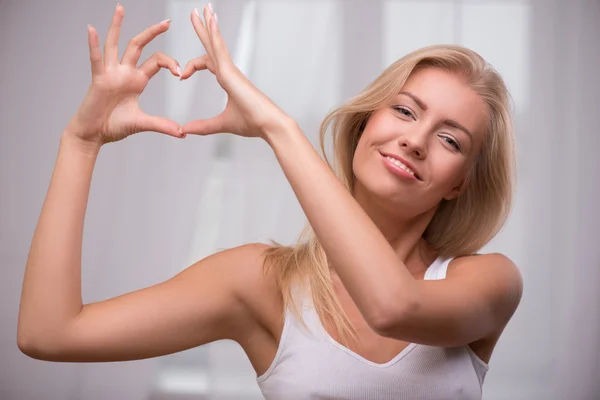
(460, 226)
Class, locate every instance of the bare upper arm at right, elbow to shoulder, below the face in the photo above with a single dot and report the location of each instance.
(477, 299)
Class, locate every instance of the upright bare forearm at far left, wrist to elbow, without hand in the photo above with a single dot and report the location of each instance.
(51, 296)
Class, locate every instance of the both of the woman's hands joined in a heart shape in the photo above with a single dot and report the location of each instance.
(111, 105)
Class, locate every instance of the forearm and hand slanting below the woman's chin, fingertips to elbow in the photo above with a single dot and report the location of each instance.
(349, 237)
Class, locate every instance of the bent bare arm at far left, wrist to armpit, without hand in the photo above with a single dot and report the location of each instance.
(199, 305)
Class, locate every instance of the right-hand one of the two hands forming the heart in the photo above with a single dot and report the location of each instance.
(248, 111)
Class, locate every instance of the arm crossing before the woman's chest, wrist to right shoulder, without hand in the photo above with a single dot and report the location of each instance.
(477, 300)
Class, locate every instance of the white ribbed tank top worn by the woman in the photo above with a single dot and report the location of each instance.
(312, 365)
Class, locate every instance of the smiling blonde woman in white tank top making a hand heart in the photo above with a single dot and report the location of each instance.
(386, 299)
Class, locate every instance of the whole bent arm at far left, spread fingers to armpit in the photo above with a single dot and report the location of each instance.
(201, 304)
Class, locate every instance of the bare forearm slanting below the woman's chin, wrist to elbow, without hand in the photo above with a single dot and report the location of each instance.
(362, 257)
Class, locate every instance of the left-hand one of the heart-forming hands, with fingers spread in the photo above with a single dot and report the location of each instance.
(110, 110)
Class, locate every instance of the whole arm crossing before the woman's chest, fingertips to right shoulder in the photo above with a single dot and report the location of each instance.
(391, 300)
